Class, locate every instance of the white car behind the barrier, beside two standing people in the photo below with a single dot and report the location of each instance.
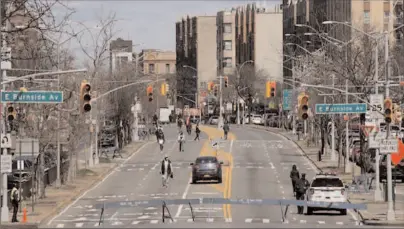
(326, 188)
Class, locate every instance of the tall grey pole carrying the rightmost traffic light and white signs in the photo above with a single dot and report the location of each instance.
(390, 210)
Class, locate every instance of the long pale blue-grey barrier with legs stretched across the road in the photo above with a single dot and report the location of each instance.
(282, 203)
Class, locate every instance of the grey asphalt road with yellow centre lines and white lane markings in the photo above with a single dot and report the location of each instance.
(256, 165)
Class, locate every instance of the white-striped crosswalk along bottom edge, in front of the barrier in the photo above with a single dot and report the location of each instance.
(128, 223)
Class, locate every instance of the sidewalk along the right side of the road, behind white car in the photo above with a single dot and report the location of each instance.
(376, 211)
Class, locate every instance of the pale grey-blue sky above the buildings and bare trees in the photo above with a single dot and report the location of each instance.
(150, 23)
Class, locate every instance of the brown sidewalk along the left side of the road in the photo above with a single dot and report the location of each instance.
(58, 198)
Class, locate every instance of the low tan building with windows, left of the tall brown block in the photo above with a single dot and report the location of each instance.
(154, 61)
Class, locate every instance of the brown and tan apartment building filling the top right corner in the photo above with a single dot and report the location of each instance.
(366, 15)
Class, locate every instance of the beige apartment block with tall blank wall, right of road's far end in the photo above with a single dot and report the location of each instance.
(259, 39)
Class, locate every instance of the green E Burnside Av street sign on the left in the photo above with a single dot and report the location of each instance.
(32, 97)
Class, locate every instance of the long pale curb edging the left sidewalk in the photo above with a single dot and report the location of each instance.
(65, 203)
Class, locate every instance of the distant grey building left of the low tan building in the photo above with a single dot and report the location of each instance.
(120, 54)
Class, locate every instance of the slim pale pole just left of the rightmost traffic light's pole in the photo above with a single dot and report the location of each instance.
(378, 192)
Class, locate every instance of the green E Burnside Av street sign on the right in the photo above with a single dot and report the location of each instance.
(341, 108)
